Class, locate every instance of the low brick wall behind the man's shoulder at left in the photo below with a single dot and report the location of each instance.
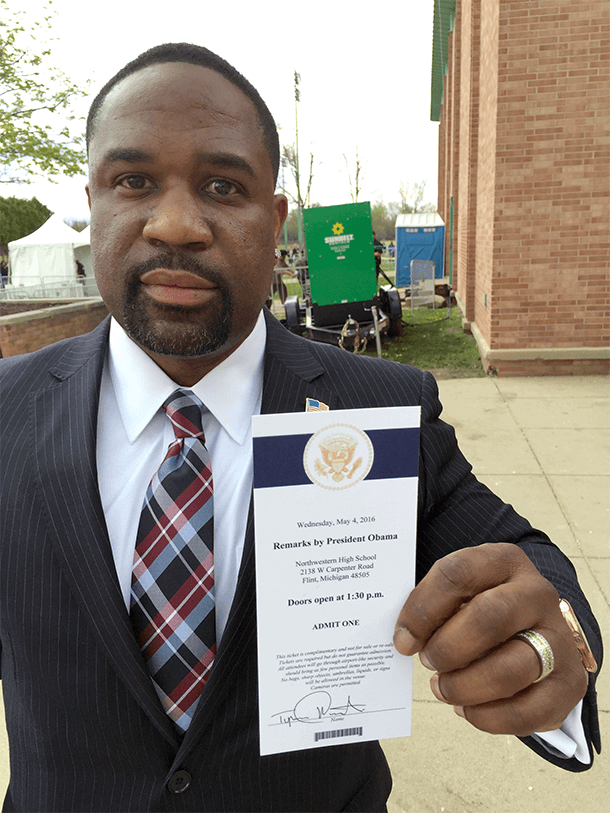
(25, 332)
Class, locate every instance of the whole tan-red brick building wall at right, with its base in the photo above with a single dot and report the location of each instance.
(527, 160)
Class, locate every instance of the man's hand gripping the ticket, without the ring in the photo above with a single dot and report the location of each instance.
(462, 617)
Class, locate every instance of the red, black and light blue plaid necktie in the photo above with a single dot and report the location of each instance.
(172, 588)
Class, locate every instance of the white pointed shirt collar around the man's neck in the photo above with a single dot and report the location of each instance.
(232, 391)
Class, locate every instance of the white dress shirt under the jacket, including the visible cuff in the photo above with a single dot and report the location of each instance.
(134, 433)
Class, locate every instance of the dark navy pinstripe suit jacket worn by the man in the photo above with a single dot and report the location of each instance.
(86, 730)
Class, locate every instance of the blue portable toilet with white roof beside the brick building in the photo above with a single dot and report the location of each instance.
(419, 237)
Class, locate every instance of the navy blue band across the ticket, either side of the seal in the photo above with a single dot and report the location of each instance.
(278, 460)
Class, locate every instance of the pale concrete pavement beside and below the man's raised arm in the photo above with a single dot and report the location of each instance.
(542, 444)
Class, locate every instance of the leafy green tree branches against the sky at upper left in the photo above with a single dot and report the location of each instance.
(33, 96)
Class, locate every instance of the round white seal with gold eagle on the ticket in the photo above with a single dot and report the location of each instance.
(338, 456)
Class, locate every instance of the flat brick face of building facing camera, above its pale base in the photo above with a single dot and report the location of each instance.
(551, 239)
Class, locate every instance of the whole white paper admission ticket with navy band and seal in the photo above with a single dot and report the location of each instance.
(335, 502)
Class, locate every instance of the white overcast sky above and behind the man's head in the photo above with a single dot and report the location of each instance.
(365, 79)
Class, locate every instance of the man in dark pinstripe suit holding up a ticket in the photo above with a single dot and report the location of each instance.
(183, 159)
